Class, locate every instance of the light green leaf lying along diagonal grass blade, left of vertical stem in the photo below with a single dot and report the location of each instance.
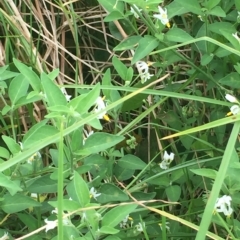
(37, 133)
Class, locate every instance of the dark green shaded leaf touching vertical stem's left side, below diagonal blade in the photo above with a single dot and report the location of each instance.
(43, 184)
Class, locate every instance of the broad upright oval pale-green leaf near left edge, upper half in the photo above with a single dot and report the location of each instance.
(18, 88)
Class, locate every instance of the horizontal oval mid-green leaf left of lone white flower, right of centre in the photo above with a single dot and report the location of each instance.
(131, 162)
